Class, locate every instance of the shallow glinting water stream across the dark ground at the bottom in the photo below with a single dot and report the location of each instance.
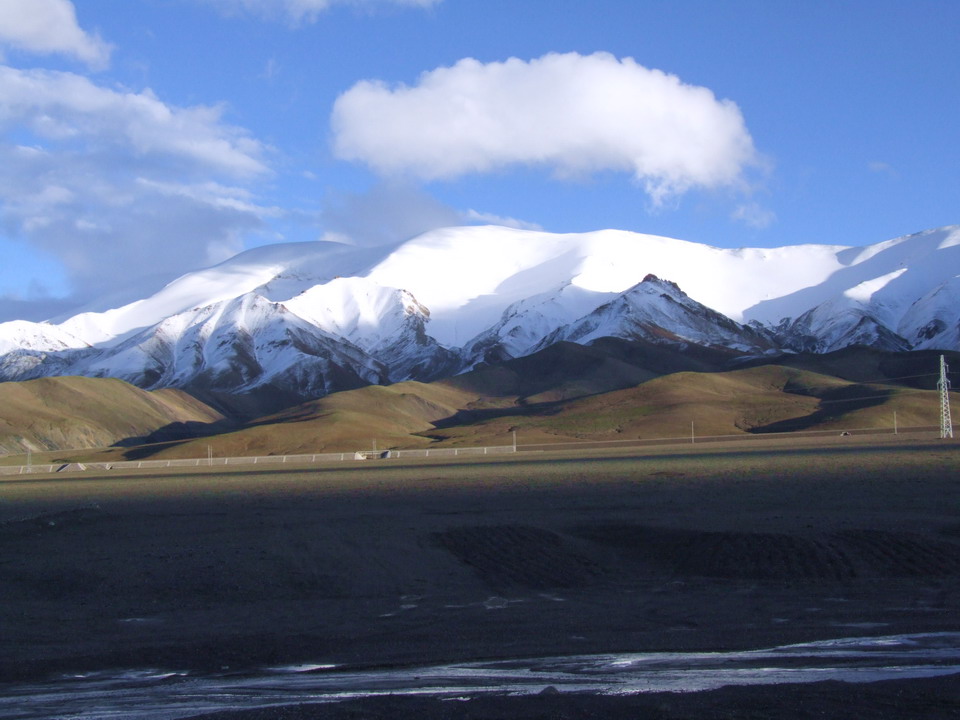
(170, 695)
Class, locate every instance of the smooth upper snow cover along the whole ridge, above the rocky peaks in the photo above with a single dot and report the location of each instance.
(468, 276)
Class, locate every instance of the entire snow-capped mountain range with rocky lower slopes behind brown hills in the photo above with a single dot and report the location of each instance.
(305, 319)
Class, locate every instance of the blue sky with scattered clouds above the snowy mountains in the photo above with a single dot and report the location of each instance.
(141, 139)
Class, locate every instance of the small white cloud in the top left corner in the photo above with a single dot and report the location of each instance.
(50, 26)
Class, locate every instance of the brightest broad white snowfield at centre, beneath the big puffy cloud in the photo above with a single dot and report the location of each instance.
(468, 276)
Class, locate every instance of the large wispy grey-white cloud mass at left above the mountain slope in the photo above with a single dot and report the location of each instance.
(120, 186)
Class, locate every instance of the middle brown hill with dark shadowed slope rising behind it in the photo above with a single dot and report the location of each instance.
(408, 414)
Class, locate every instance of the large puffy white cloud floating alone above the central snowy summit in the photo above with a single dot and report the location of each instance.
(573, 114)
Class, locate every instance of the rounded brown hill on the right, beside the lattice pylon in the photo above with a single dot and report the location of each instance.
(753, 400)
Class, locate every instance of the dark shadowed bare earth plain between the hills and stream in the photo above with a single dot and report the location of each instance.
(389, 564)
